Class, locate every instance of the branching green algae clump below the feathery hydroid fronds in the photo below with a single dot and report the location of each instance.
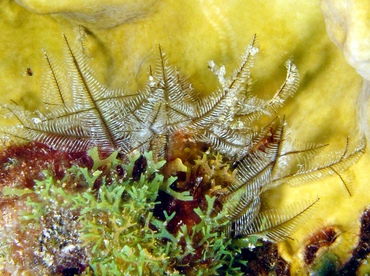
(114, 230)
